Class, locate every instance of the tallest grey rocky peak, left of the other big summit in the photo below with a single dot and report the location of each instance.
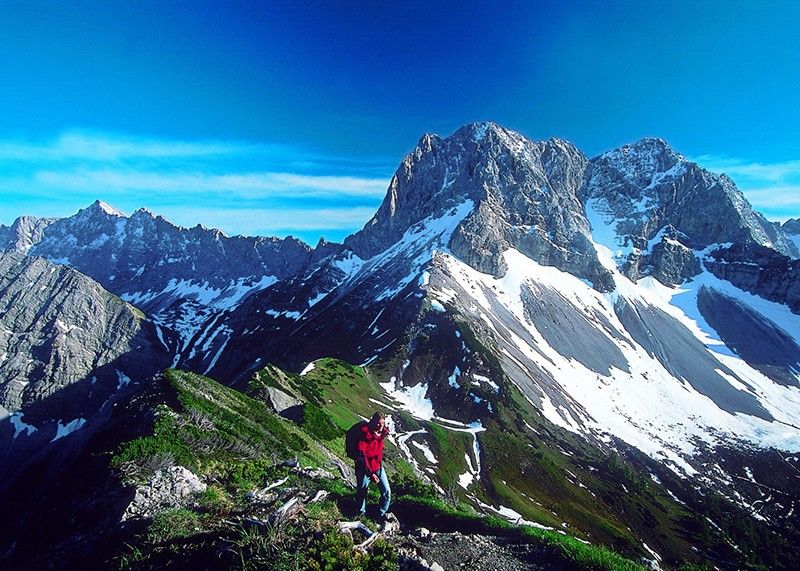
(524, 196)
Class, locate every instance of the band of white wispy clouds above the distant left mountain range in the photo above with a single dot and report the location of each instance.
(240, 187)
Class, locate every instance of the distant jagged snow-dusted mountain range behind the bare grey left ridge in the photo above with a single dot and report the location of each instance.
(178, 276)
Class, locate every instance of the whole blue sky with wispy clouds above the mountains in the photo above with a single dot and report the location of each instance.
(290, 117)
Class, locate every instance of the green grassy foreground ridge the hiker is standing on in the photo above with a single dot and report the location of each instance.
(236, 441)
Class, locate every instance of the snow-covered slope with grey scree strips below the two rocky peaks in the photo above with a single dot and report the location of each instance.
(640, 364)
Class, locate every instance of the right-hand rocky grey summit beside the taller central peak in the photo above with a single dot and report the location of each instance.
(646, 188)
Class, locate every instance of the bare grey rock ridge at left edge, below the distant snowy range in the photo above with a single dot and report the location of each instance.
(66, 344)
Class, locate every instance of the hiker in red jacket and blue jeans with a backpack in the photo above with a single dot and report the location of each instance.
(368, 460)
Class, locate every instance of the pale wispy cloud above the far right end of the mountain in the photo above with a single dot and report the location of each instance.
(772, 188)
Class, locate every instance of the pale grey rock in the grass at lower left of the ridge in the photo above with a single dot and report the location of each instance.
(168, 488)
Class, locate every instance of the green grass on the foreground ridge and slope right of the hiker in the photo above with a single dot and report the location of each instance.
(238, 442)
